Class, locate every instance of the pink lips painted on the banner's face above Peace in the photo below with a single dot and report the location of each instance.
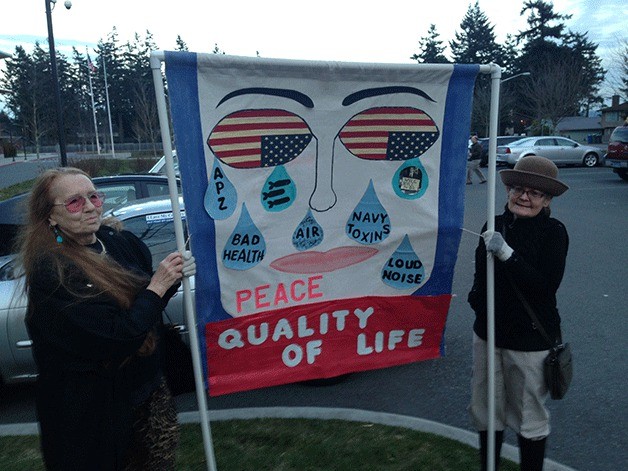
(323, 262)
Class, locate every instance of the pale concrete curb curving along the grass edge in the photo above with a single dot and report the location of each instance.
(321, 413)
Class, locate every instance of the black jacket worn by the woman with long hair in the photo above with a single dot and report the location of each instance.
(87, 385)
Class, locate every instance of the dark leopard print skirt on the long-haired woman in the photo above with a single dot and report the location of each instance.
(155, 433)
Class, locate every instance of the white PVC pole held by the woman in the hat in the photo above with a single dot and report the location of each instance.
(496, 74)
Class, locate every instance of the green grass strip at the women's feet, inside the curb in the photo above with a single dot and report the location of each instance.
(295, 445)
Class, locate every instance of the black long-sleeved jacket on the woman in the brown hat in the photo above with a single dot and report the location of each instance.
(537, 265)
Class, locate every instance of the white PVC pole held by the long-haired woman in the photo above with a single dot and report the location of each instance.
(190, 315)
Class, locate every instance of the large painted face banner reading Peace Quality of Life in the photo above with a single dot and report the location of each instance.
(325, 204)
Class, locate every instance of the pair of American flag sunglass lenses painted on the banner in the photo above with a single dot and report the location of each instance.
(271, 137)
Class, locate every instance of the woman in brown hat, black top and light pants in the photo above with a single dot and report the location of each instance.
(530, 249)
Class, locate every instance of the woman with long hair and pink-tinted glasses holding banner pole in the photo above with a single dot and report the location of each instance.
(93, 307)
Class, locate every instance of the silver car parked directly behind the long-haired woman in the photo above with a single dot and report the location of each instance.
(149, 219)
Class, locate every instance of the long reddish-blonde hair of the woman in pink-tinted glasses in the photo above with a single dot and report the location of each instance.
(106, 275)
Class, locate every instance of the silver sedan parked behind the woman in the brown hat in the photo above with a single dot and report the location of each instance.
(560, 150)
